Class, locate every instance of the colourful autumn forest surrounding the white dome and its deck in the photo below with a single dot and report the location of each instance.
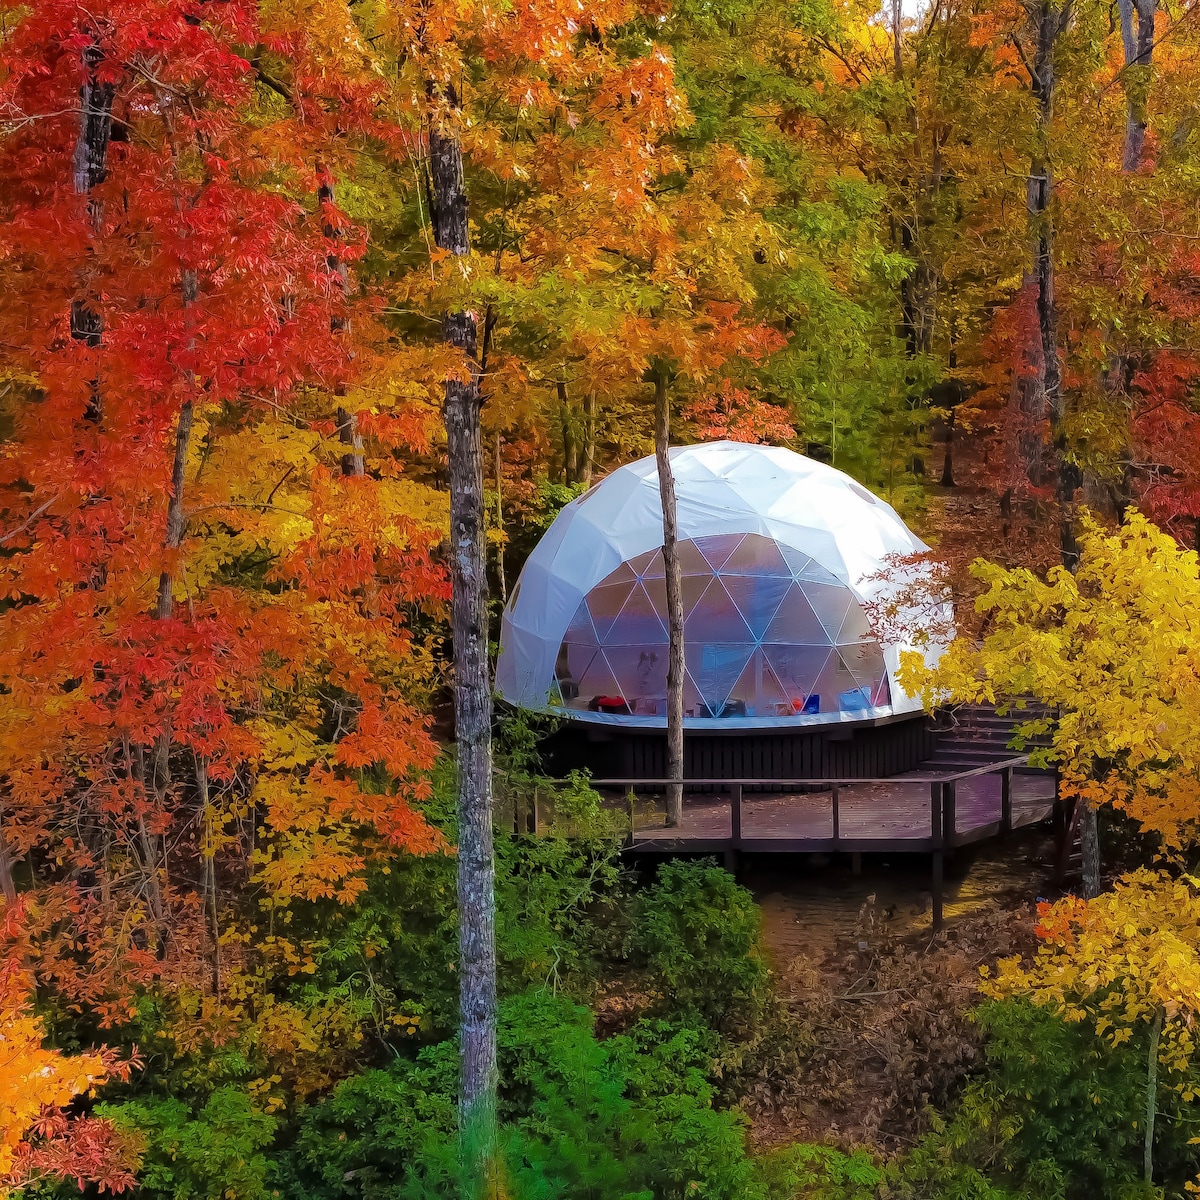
(296, 292)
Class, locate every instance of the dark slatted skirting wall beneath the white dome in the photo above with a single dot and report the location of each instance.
(848, 751)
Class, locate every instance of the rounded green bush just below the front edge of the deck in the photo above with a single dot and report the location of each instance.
(698, 932)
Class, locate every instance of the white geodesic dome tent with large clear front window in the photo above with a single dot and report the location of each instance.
(779, 556)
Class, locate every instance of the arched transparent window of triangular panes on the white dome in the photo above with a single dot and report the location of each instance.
(767, 633)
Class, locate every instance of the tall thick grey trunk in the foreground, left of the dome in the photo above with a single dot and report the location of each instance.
(473, 693)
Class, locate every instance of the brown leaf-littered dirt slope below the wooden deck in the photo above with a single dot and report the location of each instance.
(880, 1003)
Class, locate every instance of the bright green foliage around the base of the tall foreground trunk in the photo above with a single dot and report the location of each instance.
(631, 1117)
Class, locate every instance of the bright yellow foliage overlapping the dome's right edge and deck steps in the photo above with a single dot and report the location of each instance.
(1115, 651)
